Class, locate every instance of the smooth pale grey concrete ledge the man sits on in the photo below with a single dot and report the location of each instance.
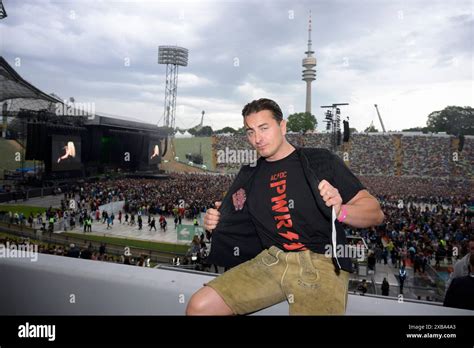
(50, 285)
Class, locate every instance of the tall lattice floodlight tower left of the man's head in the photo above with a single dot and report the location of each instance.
(172, 56)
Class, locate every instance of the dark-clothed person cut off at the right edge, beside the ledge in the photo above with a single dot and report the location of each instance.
(461, 290)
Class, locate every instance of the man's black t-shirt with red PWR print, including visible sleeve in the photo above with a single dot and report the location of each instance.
(284, 210)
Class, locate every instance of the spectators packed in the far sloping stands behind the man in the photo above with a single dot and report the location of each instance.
(381, 154)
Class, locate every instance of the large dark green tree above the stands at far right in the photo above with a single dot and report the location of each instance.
(454, 120)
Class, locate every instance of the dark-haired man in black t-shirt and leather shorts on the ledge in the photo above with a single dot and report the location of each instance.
(277, 226)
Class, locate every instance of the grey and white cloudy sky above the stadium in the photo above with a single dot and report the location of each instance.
(410, 57)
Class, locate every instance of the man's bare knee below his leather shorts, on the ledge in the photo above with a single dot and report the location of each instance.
(207, 301)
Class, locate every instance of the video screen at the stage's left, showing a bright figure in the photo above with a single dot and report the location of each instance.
(66, 153)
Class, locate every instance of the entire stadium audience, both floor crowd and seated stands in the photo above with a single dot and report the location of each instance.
(428, 221)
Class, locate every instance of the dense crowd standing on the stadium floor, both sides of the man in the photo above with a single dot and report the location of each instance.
(424, 218)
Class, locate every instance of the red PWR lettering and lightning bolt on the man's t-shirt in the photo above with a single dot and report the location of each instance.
(283, 218)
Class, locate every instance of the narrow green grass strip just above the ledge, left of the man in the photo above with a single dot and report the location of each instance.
(133, 243)
